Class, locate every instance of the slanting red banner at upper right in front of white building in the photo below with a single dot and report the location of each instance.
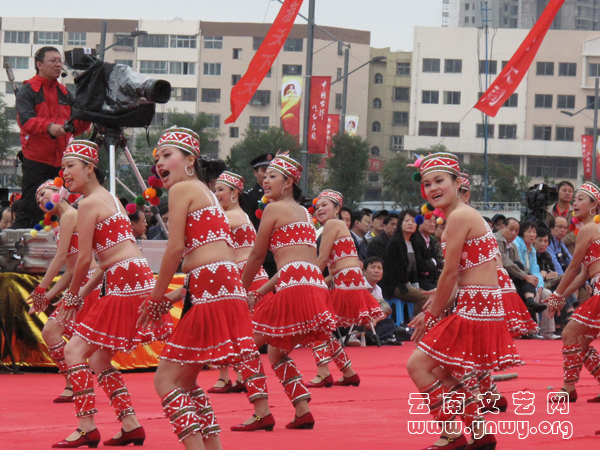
(512, 74)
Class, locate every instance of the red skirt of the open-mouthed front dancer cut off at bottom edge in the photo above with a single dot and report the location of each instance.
(217, 329)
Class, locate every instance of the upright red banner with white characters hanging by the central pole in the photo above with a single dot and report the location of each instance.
(319, 107)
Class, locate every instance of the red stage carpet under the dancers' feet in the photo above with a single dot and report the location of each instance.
(373, 416)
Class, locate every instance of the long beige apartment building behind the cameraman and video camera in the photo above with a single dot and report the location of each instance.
(201, 60)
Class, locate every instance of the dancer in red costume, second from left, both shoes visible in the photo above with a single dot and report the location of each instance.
(110, 324)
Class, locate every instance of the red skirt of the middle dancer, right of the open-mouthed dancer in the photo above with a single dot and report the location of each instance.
(299, 308)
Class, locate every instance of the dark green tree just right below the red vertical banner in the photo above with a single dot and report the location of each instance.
(347, 167)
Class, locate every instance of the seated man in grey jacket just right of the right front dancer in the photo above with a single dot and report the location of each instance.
(525, 283)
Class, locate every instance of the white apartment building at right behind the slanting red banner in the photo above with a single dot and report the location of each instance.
(530, 132)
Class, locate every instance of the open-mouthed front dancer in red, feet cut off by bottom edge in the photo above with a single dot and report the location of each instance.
(217, 328)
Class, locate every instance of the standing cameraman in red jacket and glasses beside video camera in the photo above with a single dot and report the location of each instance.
(43, 106)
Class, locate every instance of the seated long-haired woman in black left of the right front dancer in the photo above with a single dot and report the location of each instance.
(400, 276)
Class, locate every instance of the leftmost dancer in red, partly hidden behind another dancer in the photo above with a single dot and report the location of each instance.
(66, 254)
